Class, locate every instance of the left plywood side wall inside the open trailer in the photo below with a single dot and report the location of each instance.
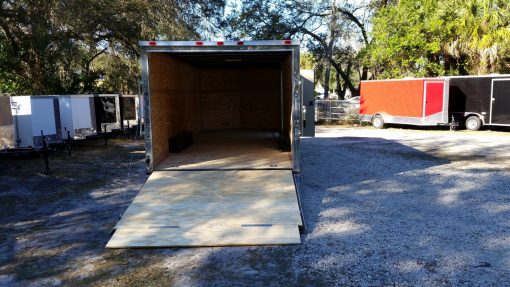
(175, 104)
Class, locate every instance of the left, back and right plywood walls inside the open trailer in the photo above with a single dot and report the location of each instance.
(191, 98)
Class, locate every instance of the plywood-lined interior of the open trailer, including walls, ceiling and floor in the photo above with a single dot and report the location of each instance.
(237, 106)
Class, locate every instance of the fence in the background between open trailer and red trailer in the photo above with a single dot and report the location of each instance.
(337, 110)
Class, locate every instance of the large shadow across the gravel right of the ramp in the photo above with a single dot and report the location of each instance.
(380, 213)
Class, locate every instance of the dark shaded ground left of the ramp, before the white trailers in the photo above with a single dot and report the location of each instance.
(51, 224)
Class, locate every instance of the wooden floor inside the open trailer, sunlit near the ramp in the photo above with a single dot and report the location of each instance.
(230, 149)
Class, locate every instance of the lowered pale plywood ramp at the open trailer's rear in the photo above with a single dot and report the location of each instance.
(211, 208)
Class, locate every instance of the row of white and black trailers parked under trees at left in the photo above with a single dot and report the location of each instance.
(26, 118)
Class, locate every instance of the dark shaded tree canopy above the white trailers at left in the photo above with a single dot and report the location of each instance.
(53, 46)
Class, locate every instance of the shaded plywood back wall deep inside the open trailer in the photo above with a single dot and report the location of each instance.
(246, 98)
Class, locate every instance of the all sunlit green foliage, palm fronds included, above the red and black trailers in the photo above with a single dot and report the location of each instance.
(431, 38)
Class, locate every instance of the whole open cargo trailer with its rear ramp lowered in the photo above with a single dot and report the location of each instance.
(223, 122)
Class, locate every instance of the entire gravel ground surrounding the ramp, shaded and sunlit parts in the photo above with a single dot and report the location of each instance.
(397, 207)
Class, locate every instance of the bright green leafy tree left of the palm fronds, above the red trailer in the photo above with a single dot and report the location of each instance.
(404, 40)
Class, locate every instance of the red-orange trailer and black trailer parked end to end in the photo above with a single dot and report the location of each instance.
(472, 101)
